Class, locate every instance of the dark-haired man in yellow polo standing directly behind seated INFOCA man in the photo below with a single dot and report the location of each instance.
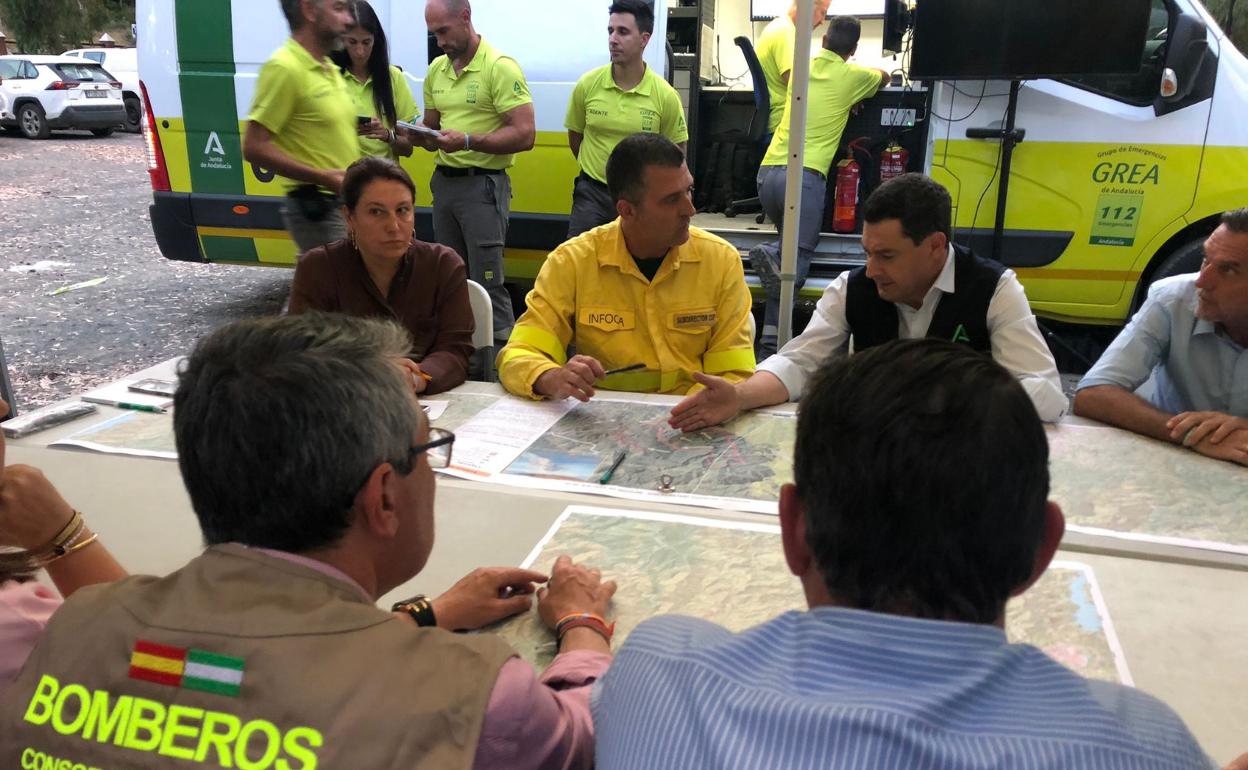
(615, 102)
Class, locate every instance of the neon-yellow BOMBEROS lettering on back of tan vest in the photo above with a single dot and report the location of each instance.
(200, 736)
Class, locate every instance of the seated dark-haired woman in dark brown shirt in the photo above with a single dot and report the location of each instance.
(381, 271)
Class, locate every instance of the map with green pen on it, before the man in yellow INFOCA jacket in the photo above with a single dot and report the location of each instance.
(570, 446)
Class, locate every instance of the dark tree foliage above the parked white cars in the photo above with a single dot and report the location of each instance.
(51, 27)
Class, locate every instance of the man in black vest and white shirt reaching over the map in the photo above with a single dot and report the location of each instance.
(915, 284)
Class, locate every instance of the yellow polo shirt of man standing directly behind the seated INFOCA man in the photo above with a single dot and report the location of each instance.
(606, 115)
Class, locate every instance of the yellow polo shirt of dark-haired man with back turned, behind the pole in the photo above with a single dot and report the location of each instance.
(836, 87)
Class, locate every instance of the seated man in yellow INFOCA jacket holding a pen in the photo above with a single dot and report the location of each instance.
(646, 291)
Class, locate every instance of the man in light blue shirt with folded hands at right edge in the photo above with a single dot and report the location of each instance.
(1191, 336)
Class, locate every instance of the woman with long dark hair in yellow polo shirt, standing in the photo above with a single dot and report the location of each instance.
(379, 89)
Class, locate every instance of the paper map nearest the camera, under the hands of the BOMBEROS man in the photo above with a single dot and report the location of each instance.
(736, 575)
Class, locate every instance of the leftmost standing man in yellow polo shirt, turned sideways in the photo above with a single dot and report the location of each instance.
(303, 123)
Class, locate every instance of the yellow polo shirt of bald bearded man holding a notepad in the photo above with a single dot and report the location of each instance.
(475, 102)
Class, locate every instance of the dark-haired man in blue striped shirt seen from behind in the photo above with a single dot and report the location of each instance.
(919, 511)
